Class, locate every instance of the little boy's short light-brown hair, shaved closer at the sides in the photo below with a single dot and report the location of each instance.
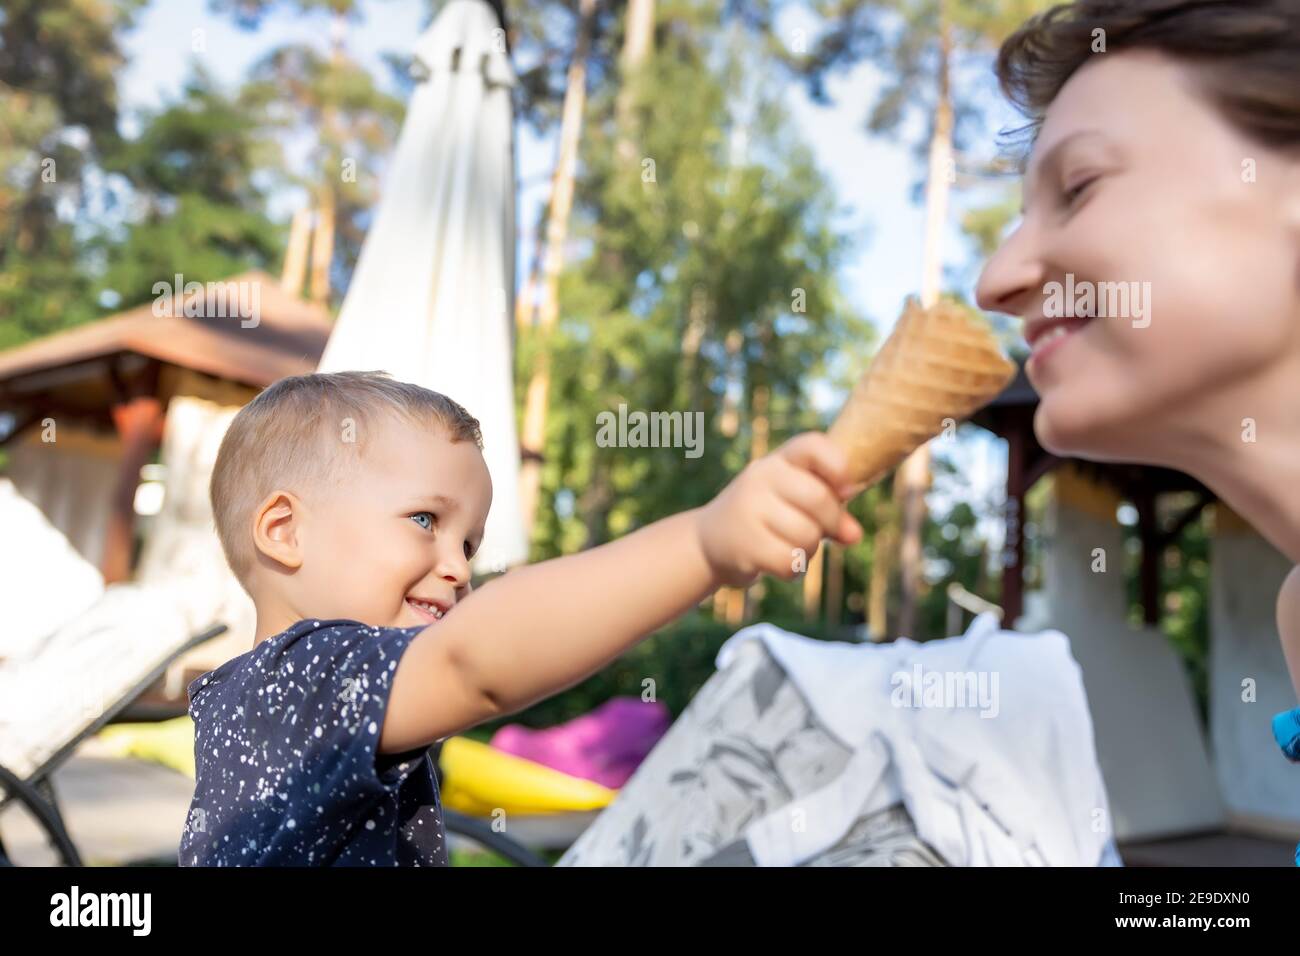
(288, 436)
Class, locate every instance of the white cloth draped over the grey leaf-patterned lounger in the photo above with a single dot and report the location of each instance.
(986, 739)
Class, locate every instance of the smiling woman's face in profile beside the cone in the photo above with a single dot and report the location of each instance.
(1138, 189)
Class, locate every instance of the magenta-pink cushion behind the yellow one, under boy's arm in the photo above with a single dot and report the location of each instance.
(605, 746)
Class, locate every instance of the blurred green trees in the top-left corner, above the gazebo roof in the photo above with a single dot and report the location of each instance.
(187, 194)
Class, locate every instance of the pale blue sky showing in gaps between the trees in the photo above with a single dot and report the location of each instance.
(872, 178)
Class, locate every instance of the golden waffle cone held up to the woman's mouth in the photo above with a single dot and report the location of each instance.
(937, 365)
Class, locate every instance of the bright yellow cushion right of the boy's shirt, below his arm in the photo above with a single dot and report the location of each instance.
(479, 780)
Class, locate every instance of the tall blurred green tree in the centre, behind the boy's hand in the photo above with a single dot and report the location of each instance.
(708, 272)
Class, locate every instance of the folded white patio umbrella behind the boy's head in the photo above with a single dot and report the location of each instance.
(432, 295)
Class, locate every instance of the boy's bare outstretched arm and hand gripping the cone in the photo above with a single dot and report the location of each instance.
(545, 628)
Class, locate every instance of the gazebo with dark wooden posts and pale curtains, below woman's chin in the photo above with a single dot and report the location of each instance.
(1186, 789)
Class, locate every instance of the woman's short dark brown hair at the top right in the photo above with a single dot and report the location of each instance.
(1247, 55)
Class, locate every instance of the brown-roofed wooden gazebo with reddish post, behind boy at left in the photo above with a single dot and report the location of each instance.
(111, 380)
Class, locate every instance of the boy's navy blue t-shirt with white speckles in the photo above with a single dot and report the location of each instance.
(288, 771)
